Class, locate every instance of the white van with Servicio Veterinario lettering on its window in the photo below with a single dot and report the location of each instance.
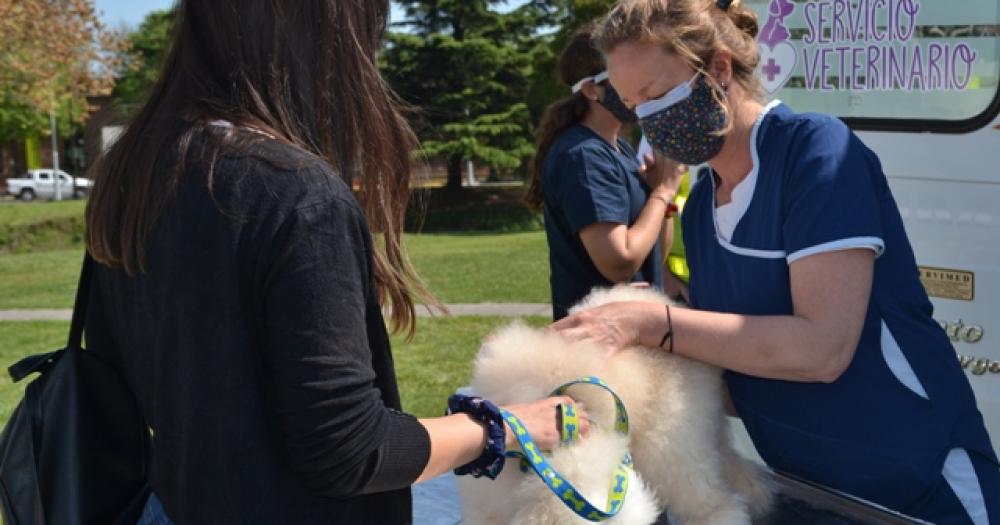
(918, 81)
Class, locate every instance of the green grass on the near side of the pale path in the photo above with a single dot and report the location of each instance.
(430, 368)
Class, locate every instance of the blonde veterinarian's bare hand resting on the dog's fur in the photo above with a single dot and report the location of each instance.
(615, 326)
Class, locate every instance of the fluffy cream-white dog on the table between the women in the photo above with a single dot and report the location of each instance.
(679, 437)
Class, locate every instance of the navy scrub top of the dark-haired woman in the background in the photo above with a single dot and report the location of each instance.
(585, 181)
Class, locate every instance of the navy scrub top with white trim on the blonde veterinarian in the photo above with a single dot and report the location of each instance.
(882, 431)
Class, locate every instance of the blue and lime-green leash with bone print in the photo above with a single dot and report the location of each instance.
(570, 433)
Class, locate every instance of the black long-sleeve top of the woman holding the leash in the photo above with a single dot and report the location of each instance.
(256, 348)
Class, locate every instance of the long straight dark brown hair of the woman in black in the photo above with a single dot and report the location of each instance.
(304, 72)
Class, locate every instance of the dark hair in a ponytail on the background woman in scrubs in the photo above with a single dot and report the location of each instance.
(578, 60)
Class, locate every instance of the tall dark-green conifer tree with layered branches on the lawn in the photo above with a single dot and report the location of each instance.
(467, 68)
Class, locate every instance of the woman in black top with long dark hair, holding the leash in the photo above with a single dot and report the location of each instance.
(240, 290)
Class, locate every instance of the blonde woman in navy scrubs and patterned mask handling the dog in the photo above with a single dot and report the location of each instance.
(803, 282)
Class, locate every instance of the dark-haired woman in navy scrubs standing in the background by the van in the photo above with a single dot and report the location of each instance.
(604, 213)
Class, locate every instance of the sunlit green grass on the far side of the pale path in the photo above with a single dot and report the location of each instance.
(504, 268)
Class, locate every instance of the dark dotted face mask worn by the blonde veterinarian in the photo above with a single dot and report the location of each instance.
(684, 124)
